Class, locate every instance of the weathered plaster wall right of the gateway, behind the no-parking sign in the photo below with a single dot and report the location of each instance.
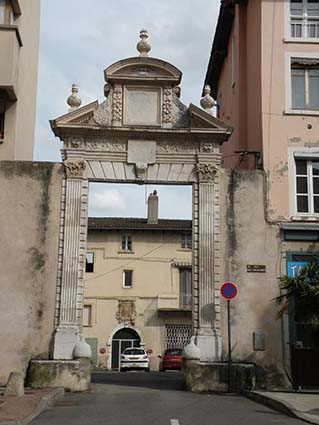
(247, 239)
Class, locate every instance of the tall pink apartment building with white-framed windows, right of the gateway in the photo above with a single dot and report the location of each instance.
(264, 75)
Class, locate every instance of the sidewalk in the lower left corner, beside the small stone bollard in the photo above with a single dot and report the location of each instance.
(22, 410)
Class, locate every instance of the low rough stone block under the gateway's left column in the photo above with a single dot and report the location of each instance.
(72, 375)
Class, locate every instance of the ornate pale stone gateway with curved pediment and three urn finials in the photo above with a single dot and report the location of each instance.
(141, 133)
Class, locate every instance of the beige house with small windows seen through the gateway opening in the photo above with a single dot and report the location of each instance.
(138, 286)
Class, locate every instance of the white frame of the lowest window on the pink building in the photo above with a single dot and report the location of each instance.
(309, 154)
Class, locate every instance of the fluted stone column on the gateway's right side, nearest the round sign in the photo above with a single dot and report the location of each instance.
(207, 338)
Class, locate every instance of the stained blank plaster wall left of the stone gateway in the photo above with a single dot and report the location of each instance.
(30, 211)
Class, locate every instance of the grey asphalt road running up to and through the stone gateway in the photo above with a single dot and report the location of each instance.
(141, 398)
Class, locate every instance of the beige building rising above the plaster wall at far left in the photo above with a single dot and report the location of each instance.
(19, 47)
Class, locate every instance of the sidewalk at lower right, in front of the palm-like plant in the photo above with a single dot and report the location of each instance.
(300, 404)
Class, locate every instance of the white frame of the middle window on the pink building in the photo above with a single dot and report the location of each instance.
(288, 107)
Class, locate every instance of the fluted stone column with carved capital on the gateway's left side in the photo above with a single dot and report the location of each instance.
(74, 241)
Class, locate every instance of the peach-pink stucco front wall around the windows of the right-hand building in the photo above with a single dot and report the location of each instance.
(282, 131)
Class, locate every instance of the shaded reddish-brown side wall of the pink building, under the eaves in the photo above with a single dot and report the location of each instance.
(239, 95)
